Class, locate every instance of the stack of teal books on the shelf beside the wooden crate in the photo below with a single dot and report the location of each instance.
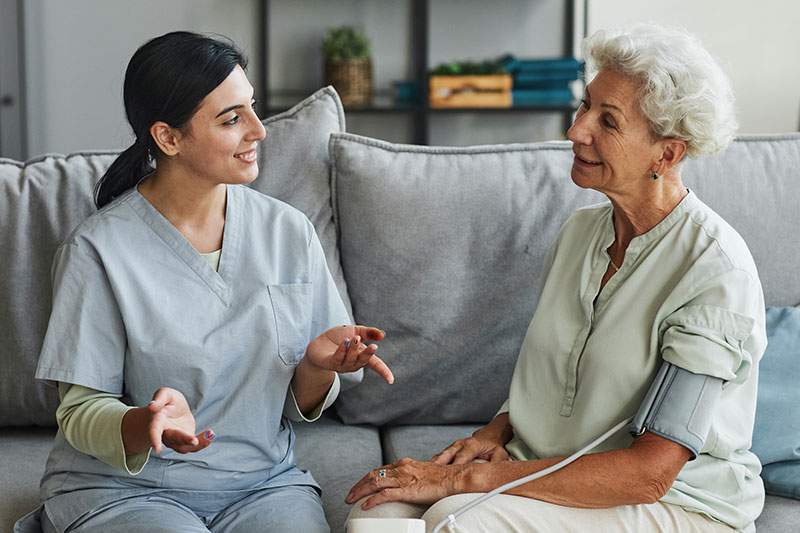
(542, 82)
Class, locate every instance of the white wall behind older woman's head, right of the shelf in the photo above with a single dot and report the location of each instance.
(757, 43)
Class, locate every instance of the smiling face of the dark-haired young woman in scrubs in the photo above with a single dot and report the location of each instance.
(218, 144)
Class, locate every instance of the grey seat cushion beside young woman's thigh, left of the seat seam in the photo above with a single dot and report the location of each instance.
(337, 456)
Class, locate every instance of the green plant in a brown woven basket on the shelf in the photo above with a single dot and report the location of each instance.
(347, 64)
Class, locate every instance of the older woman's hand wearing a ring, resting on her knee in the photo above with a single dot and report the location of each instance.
(409, 481)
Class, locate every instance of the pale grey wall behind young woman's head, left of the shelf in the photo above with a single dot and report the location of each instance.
(77, 51)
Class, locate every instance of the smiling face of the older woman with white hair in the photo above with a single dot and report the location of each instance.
(613, 145)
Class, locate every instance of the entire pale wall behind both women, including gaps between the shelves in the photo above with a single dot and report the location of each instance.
(77, 52)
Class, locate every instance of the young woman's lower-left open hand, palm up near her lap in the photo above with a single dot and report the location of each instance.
(172, 423)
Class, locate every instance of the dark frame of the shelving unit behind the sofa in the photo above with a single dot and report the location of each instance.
(420, 23)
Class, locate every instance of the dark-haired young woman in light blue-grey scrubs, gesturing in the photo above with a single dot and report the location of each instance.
(191, 301)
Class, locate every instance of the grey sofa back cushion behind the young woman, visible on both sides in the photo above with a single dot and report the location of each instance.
(42, 200)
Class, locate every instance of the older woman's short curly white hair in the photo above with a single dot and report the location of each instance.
(684, 93)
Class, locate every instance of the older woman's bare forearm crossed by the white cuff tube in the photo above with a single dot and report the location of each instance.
(598, 480)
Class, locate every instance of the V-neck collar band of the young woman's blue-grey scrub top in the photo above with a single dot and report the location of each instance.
(217, 281)
